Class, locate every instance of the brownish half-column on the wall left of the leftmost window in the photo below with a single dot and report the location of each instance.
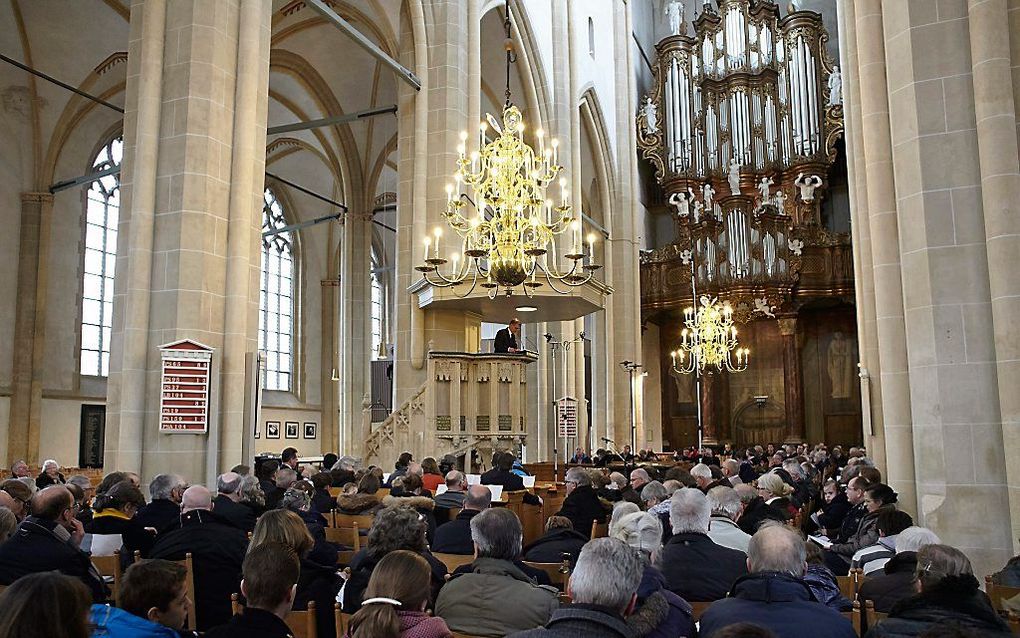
(30, 329)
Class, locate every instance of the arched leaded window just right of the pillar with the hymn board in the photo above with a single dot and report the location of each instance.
(276, 334)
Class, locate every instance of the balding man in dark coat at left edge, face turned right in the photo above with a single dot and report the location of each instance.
(49, 541)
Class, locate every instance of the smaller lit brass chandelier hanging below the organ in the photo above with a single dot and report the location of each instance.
(709, 339)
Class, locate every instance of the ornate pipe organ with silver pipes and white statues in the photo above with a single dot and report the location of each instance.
(742, 113)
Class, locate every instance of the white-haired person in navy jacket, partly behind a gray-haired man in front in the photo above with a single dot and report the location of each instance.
(658, 613)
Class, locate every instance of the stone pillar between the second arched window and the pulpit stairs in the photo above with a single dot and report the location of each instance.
(355, 332)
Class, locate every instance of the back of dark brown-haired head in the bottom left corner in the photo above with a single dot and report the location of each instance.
(47, 605)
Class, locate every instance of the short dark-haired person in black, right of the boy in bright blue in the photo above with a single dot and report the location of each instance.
(271, 574)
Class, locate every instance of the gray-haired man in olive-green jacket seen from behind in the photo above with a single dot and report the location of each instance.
(496, 599)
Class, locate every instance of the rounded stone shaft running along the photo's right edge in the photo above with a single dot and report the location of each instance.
(996, 116)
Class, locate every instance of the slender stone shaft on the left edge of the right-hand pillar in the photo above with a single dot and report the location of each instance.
(884, 229)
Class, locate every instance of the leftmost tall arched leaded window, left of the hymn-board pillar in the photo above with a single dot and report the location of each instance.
(103, 212)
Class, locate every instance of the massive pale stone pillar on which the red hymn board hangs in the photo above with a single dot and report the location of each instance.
(189, 255)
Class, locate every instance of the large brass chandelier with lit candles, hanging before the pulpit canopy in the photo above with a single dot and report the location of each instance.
(507, 226)
